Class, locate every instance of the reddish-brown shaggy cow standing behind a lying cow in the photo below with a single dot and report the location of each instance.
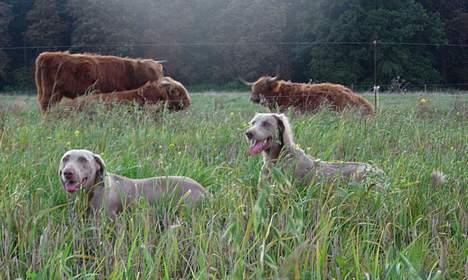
(61, 74)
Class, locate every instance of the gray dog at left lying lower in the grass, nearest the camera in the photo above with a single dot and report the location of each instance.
(82, 169)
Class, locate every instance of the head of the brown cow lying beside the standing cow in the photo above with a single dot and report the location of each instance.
(178, 97)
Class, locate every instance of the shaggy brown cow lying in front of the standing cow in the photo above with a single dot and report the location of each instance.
(164, 91)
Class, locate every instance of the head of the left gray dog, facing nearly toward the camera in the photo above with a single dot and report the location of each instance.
(80, 169)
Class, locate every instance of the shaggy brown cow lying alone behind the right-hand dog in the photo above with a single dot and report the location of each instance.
(277, 94)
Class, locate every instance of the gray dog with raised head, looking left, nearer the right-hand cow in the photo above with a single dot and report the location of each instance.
(271, 135)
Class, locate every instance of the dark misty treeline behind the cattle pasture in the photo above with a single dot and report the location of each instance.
(214, 42)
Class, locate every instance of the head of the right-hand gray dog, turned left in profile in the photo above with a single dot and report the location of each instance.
(266, 130)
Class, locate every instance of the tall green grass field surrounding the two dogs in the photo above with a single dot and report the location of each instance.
(412, 230)
